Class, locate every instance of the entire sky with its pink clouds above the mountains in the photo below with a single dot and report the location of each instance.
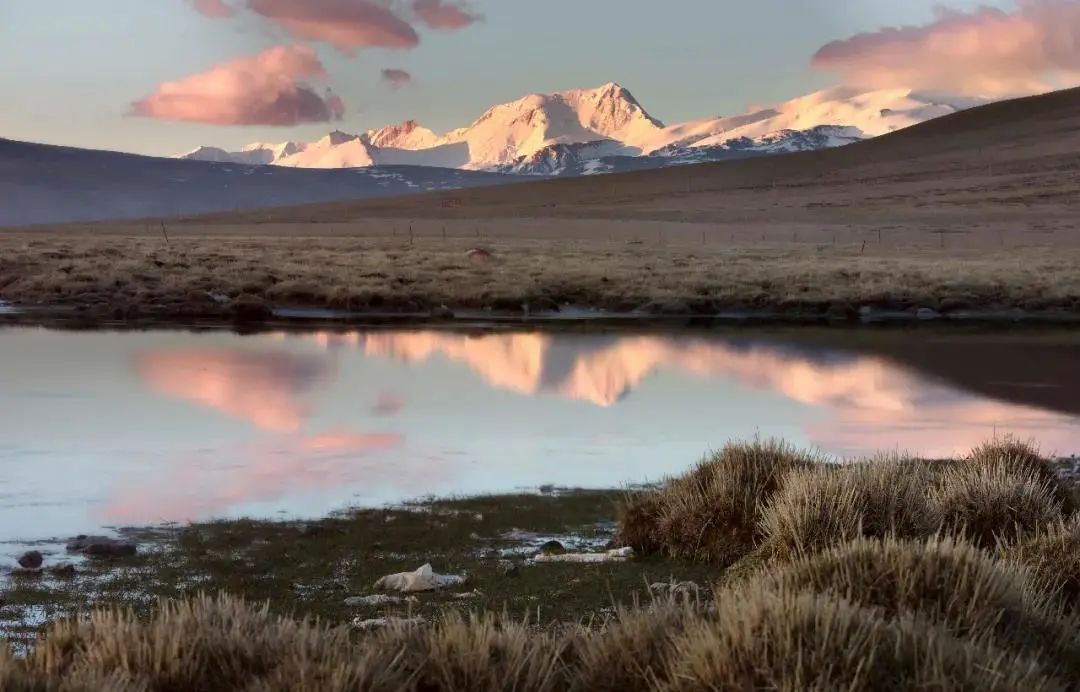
(163, 77)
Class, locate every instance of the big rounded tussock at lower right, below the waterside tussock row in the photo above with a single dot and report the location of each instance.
(944, 581)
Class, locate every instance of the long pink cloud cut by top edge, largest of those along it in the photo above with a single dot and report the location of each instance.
(346, 24)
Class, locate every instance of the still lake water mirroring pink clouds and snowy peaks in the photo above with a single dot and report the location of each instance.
(102, 429)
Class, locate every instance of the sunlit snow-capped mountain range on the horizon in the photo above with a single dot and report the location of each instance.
(606, 130)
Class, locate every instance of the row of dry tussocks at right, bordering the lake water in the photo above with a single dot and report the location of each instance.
(753, 505)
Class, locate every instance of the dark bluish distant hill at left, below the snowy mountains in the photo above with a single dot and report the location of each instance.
(42, 184)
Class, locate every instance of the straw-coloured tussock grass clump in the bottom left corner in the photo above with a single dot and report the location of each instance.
(206, 645)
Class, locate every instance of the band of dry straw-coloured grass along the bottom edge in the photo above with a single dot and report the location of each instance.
(759, 639)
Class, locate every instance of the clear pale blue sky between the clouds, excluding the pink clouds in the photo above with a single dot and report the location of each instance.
(73, 69)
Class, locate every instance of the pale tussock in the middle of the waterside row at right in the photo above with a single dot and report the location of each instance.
(829, 506)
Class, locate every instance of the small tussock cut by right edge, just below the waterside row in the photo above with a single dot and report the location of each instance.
(1054, 559)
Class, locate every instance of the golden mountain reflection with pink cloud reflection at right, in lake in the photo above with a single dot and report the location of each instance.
(870, 403)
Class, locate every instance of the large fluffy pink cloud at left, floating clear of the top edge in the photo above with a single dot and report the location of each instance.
(268, 89)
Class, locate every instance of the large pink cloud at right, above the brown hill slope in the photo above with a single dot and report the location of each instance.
(988, 52)
